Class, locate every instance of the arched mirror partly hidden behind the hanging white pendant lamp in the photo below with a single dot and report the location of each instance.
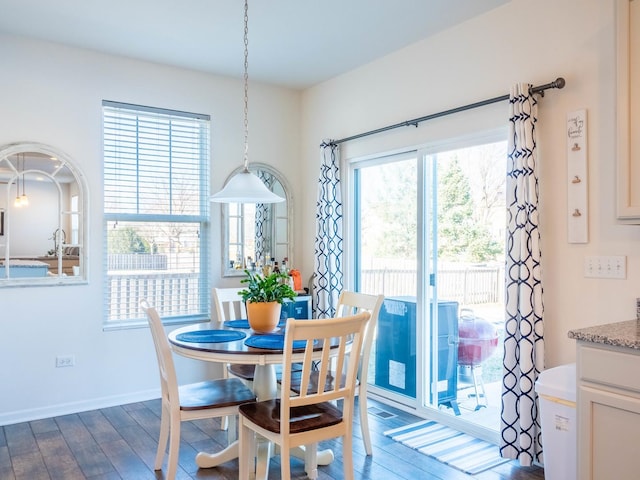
(257, 233)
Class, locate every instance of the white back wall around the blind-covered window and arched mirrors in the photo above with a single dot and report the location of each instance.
(52, 94)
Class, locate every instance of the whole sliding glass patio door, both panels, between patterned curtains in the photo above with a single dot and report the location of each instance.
(428, 233)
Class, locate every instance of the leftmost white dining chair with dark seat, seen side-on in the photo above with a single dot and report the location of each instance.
(195, 401)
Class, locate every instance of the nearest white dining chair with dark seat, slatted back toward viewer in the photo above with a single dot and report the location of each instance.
(316, 413)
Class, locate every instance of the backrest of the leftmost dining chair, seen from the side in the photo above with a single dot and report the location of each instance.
(168, 378)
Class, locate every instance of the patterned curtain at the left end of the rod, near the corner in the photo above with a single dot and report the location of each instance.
(327, 271)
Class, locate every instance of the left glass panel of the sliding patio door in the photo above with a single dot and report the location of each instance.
(386, 258)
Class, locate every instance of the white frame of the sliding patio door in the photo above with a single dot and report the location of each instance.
(427, 261)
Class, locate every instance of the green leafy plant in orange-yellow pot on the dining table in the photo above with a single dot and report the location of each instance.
(263, 297)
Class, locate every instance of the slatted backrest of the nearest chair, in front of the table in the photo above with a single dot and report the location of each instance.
(345, 332)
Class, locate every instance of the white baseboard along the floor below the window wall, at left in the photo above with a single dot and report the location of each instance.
(20, 416)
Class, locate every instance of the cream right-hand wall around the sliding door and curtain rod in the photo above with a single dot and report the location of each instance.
(518, 42)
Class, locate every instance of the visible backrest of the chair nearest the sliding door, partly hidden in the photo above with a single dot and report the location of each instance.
(351, 303)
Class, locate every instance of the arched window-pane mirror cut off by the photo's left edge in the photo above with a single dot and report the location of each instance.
(42, 217)
